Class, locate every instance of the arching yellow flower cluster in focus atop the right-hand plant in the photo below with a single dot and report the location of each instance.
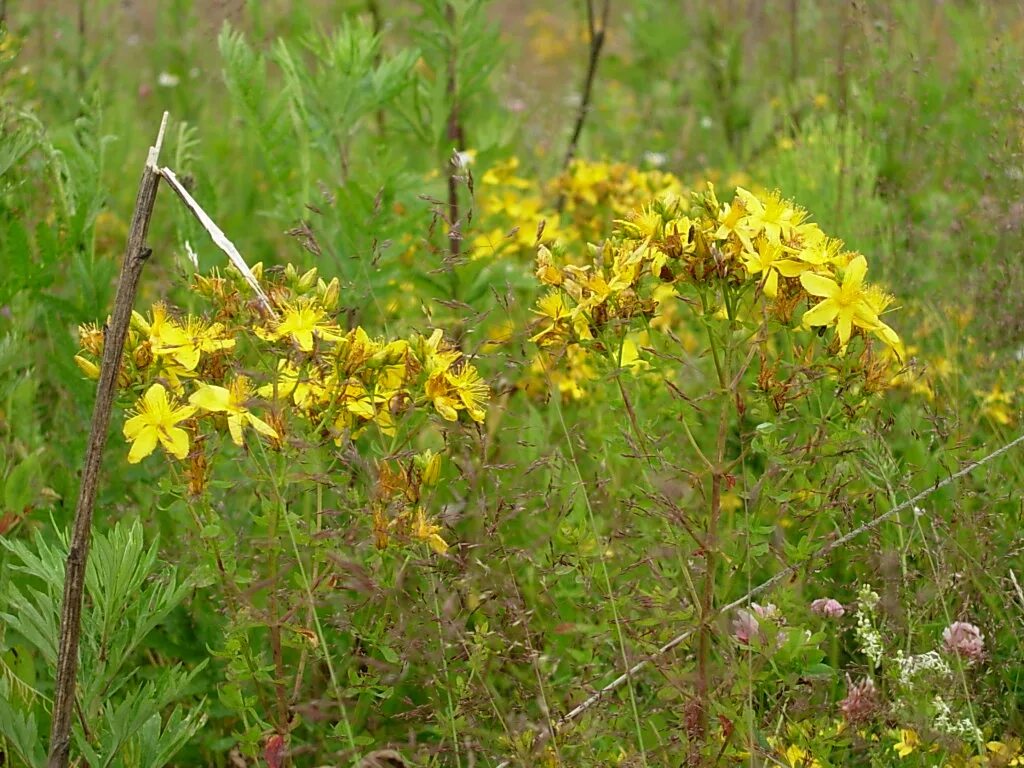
(763, 243)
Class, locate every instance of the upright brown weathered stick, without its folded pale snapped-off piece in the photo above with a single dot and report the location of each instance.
(114, 343)
